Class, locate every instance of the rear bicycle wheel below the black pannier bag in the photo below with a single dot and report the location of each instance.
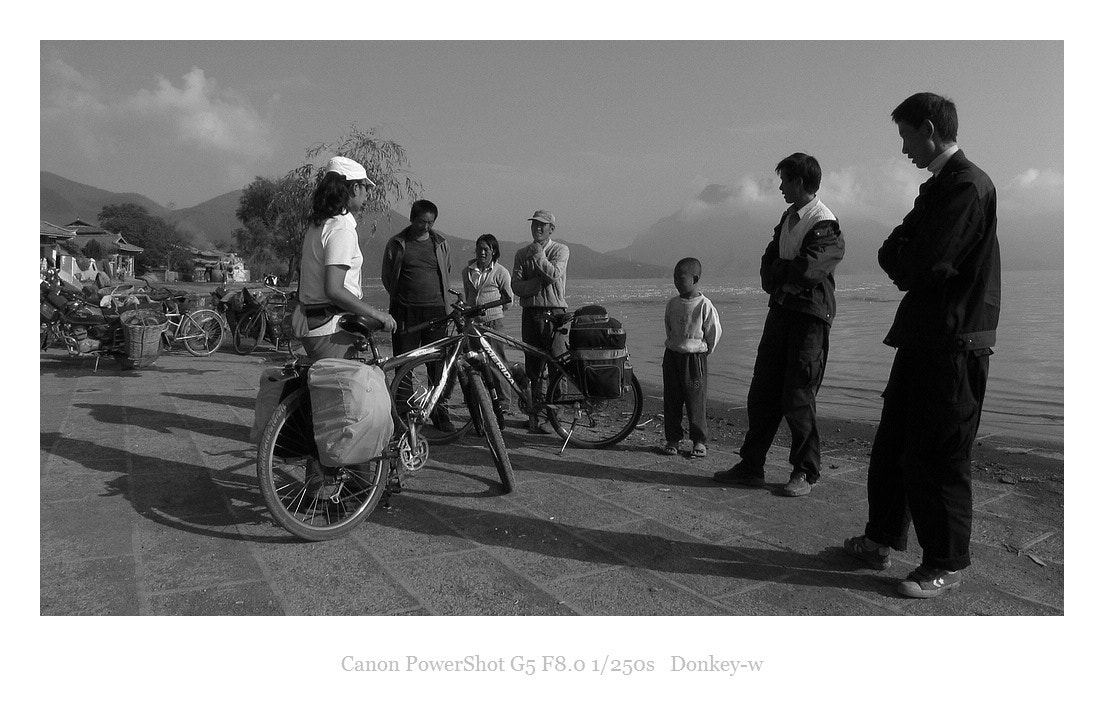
(595, 423)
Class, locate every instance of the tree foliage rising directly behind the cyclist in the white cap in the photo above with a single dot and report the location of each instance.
(274, 212)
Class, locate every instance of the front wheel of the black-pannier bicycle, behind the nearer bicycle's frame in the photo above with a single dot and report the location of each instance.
(410, 390)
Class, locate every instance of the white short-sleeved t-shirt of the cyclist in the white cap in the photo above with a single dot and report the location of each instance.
(333, 244)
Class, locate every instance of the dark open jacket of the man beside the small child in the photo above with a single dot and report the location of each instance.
(806, 283)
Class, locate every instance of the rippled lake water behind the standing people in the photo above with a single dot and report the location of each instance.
(1024, 399)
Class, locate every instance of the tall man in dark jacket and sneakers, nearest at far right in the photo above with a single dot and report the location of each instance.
(946, 258)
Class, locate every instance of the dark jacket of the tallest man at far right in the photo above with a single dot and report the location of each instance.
(947, 259)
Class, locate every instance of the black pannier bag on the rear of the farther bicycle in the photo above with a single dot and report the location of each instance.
(599, 354)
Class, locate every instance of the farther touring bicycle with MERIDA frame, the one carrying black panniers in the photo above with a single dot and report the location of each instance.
(577, 411)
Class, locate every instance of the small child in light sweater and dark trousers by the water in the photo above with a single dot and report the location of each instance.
(694, 329)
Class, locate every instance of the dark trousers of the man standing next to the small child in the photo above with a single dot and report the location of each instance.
(790, 367)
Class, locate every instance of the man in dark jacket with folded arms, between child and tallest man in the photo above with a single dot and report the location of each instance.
(798, 272)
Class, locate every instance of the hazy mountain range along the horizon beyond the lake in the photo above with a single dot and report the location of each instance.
(724, 233)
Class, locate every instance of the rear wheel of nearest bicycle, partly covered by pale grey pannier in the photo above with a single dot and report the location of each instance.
(311, 501)
